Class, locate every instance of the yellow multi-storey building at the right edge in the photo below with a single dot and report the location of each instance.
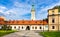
(54, 18)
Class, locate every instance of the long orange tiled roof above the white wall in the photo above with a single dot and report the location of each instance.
(24, 22)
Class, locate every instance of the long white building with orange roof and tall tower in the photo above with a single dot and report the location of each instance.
(26, 24)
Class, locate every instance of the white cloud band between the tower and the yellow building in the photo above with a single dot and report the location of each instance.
(42, 13)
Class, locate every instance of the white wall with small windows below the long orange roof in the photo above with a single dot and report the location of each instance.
(45, 27)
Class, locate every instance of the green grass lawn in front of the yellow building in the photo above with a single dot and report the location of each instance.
(50, 34)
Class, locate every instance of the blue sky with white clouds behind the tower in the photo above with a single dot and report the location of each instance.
(21, 9)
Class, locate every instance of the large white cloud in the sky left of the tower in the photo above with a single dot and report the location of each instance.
(17, 12)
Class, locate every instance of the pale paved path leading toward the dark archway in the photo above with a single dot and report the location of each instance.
(23, 34)
